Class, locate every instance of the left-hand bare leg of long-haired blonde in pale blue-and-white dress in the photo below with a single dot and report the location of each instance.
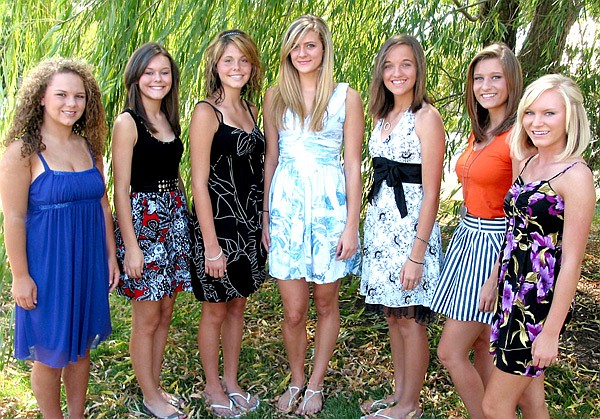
(295, 297)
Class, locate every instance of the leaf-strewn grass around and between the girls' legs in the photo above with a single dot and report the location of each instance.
(361, 367)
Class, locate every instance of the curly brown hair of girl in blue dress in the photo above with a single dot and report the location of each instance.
(29, 113)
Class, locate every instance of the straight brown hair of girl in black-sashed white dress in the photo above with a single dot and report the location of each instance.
(381, 100)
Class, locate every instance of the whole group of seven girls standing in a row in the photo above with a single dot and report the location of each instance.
(287, 194)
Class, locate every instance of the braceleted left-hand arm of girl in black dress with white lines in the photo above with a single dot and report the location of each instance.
(203, 126)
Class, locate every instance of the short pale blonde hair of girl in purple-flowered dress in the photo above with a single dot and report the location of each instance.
(576, 121)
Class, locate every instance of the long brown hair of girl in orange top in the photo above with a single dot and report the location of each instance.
(479, 116)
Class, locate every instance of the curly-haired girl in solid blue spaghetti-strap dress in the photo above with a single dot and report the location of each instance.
(58, 230)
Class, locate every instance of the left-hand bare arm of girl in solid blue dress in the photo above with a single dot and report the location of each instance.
(15, 179)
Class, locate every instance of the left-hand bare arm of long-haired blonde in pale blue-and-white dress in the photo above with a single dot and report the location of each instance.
(271, 160)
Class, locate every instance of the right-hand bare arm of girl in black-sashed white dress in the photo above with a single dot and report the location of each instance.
(430, 130)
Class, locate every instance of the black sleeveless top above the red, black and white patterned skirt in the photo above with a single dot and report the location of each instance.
(153, 161)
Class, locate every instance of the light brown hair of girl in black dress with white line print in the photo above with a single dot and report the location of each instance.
(214, 52)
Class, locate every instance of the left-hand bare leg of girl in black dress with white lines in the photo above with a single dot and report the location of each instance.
(209, 343)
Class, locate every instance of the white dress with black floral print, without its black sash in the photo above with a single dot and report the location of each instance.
(388, 236)
